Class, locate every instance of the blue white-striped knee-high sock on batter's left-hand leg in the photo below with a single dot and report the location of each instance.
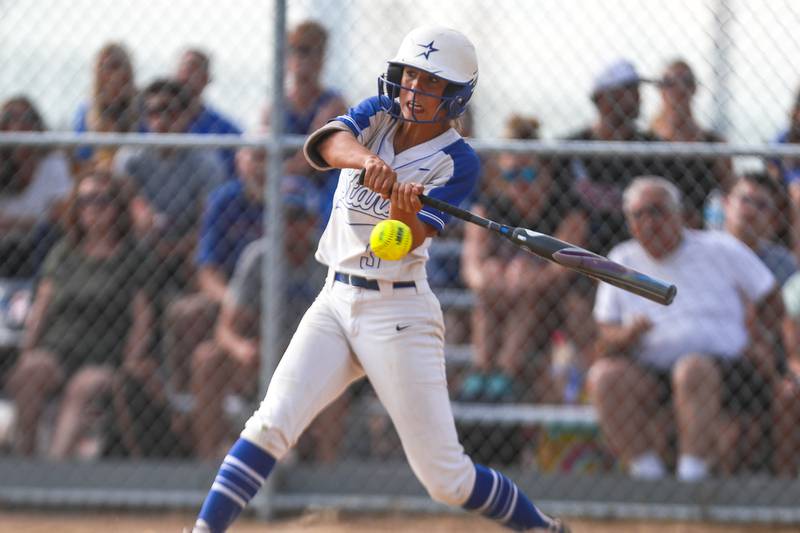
(241, 475)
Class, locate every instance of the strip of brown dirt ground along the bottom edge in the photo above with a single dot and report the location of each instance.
(332, 522)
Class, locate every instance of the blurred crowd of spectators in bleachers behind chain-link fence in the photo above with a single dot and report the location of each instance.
(131, 280)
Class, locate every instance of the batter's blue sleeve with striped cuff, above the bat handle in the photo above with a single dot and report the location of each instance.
(466, 168)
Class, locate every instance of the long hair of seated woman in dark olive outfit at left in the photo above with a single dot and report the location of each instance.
(122, 224)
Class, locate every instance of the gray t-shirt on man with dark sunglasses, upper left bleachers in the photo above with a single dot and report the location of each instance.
(175, 185)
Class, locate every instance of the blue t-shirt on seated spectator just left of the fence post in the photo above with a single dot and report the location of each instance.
(231, 221)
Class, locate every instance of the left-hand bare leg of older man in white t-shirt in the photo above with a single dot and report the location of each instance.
(627, 403)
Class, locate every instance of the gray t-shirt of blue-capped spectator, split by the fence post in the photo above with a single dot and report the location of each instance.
(301, 284)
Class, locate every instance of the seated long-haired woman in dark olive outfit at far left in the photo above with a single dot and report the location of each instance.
(91, 315)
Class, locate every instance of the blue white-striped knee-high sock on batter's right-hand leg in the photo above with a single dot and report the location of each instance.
(499, 498)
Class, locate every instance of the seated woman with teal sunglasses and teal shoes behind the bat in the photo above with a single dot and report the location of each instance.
(516, 293)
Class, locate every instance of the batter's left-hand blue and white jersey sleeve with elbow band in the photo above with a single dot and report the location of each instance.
(362, 121)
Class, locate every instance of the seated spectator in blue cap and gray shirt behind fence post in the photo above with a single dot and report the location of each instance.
(229, 362)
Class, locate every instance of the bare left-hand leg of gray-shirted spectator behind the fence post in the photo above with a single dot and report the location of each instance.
(212, 371)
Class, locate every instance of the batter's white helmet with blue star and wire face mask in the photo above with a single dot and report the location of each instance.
(442, 52)
